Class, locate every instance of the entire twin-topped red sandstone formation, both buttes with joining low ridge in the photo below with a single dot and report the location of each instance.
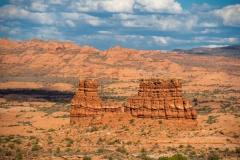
(156, 98)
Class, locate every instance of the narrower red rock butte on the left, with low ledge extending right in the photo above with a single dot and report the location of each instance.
(86, 101)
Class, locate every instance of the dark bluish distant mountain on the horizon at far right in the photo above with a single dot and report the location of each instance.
(229, 51)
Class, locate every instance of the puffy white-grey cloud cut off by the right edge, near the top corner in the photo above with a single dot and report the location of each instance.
(229, 14)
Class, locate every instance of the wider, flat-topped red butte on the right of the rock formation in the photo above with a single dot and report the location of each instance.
(160, 98)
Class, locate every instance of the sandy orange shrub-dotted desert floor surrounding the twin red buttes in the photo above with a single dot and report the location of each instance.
(35, 122)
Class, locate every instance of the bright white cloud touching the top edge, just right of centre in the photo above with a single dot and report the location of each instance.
(168, 6)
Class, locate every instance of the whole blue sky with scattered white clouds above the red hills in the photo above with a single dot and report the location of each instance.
(140, 24)
